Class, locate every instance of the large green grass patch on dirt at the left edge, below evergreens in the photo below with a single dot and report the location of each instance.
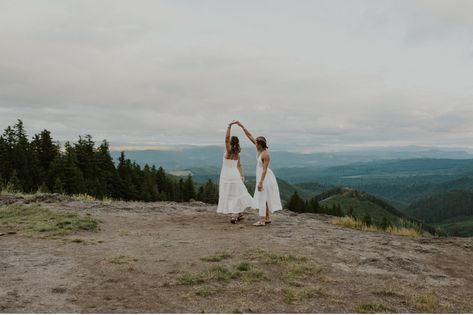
(34, 218)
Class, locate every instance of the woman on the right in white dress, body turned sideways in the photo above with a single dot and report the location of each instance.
(266, 198)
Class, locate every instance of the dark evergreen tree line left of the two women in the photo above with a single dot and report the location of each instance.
(42, 164)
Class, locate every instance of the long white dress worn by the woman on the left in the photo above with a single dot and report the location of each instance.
(233, 197)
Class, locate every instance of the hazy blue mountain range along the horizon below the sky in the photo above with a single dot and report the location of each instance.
(185, 157)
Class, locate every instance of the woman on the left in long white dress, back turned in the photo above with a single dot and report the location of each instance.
(233, 196)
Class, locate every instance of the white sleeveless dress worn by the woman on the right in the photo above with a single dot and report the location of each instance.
(270, 193)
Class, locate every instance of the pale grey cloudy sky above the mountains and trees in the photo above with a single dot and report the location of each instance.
(306, 74)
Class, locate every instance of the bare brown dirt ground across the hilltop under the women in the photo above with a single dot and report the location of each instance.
(136, 262)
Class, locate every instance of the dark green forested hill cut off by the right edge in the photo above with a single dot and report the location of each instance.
(451, 211)
